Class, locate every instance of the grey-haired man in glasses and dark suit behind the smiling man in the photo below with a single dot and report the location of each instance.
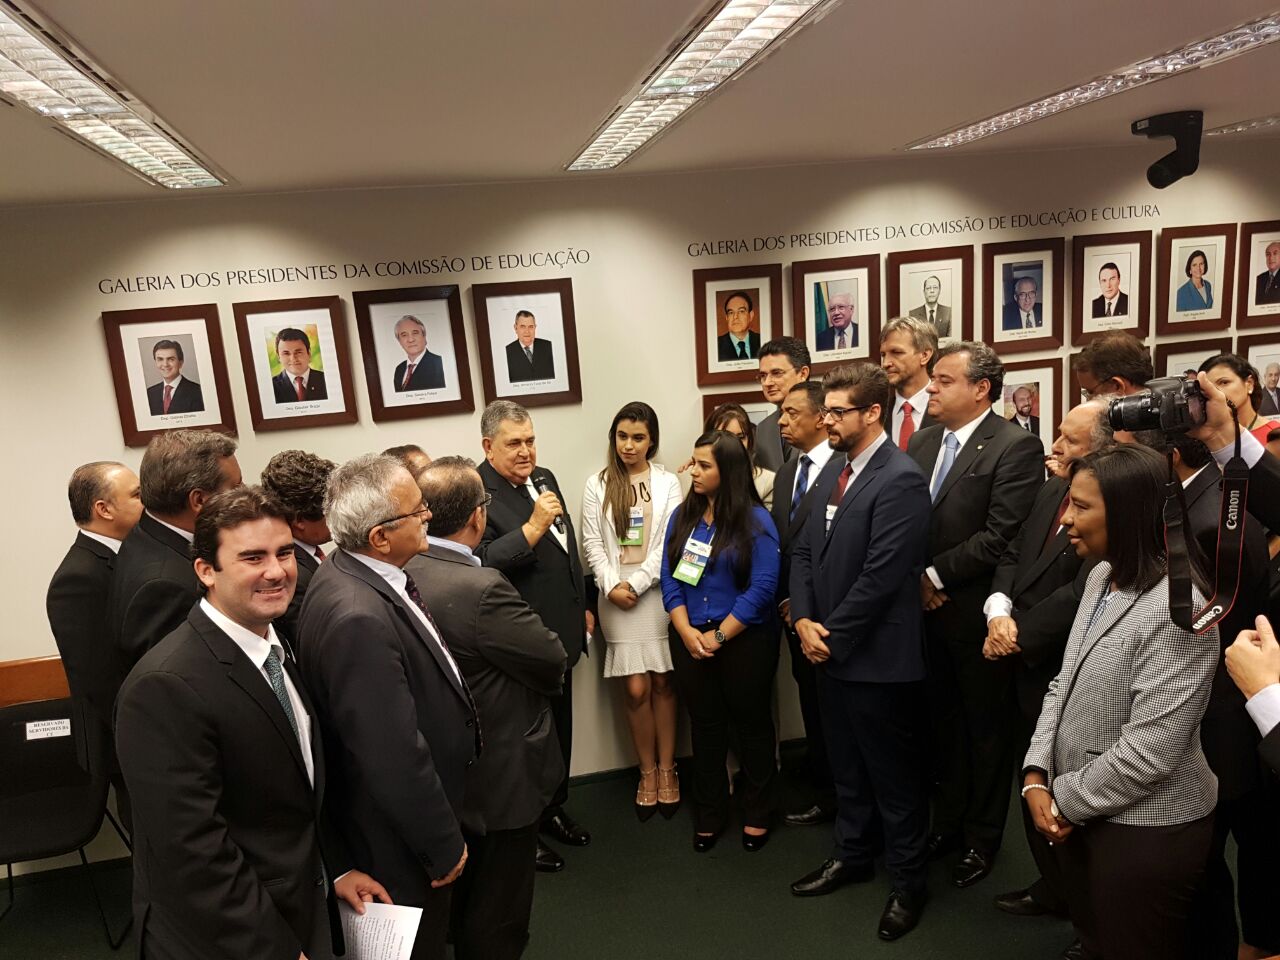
(397, 717)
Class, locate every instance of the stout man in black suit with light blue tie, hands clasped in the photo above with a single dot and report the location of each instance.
(984, 476)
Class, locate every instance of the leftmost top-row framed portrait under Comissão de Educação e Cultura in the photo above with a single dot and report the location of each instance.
(737, 312)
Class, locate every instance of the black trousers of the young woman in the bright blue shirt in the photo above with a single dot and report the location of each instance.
(732, 692)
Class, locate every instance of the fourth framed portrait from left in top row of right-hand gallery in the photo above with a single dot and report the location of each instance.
(1022, 286)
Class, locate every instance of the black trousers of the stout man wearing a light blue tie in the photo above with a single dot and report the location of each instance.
(970, 697)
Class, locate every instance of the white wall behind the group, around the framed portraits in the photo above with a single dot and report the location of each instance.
(636, 292)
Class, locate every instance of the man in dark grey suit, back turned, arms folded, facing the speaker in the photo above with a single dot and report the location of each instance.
(513, 664)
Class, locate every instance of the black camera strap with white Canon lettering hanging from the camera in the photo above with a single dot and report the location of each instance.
(1231, 545)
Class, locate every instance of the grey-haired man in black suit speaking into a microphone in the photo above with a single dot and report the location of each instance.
(531, 538)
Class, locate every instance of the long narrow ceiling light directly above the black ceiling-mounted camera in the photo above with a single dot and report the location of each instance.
(1203, 53)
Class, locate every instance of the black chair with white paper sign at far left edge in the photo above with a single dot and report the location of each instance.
(53, 797)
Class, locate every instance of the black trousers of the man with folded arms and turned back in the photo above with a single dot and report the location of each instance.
(495, 895)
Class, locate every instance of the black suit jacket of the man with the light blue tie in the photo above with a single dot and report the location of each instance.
(984, 501)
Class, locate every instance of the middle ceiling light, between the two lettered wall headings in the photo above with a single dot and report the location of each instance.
(734, 36)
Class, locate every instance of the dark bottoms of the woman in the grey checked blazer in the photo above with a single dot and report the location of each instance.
(1132, 889)
